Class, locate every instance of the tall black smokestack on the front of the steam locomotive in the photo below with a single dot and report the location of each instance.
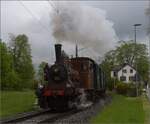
(58, 52)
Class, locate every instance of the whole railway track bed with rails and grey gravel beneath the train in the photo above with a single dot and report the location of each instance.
(49, 117)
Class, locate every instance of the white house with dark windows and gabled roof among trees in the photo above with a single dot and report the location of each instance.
(125, 73)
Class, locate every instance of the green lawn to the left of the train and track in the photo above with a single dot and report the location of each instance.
(13, 102)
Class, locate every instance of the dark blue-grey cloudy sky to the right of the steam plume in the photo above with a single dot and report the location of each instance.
(126, 13)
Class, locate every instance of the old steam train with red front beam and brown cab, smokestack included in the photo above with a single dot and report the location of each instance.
(71, 82)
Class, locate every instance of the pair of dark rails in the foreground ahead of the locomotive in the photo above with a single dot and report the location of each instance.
(45, 116)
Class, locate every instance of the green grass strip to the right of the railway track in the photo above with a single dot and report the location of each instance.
(122, 110)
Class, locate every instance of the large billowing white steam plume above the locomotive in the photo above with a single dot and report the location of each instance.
(88, 26)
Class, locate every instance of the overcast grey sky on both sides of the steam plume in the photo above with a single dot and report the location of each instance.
(33, 19)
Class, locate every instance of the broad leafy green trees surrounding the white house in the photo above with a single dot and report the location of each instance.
(127, 52)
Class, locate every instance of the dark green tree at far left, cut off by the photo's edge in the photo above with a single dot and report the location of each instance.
(9, 78)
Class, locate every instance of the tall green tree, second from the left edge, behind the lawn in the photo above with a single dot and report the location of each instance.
(22, 60)
